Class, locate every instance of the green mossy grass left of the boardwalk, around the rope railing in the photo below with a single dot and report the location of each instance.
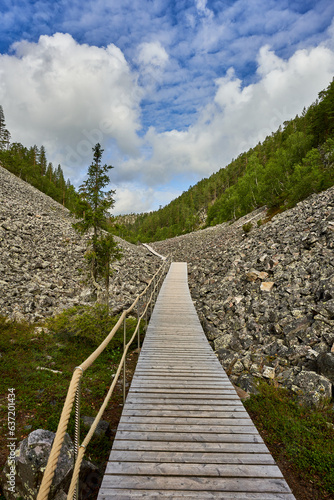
(61, 344)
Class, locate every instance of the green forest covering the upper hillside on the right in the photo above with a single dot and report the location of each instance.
(289, 165)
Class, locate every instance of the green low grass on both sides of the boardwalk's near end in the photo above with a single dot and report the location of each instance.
(300, 436)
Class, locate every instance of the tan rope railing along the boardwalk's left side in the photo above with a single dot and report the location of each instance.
(73, 394)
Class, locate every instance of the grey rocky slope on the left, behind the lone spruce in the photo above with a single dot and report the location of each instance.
(42, 265)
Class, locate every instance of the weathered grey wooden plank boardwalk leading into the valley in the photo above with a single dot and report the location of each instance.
(184, 432)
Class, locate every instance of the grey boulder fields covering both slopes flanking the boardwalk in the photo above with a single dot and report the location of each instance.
(265, 298)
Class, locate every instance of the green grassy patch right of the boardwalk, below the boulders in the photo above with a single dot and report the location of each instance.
(304, 436)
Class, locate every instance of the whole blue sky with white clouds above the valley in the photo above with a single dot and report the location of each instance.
(172, 90)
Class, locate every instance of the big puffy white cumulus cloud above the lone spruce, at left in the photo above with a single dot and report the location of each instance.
(69, 96)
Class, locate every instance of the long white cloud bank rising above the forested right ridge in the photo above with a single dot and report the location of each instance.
(238, 117)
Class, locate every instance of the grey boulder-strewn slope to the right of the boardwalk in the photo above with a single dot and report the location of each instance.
(266, 298)
